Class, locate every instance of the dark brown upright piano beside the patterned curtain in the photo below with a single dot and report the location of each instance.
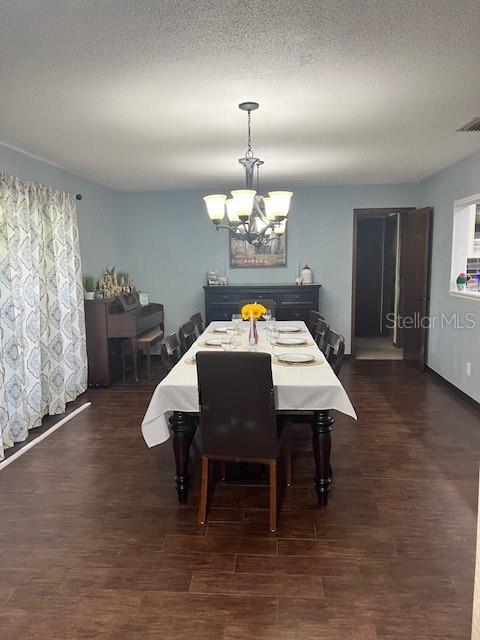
(110, 321)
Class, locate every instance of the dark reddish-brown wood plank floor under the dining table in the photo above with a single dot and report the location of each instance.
(93, 544)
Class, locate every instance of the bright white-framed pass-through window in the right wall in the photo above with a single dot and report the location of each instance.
(466, 246)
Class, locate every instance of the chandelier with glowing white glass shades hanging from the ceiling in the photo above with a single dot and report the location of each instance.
(250, 216)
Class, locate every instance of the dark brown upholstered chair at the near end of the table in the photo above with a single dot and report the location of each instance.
(237, 418)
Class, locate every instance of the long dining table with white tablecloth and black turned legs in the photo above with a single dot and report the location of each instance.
(307, 391)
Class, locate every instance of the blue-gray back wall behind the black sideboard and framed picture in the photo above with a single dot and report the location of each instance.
(169, 245)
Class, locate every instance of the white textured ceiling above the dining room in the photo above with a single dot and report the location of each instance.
(143, 94)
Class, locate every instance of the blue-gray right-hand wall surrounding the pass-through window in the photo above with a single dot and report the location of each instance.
(449, 348)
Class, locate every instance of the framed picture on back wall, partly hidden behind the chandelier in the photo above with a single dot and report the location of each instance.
(243, 255)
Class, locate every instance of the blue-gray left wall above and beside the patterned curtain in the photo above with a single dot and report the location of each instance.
(99, 231)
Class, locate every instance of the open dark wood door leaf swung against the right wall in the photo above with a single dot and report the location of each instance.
(415, 285)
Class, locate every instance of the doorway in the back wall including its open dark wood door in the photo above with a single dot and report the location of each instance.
(390, 284)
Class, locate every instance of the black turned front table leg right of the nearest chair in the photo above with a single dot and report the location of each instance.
(322, 425)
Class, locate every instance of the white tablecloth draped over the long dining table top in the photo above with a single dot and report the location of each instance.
(296, 388)
